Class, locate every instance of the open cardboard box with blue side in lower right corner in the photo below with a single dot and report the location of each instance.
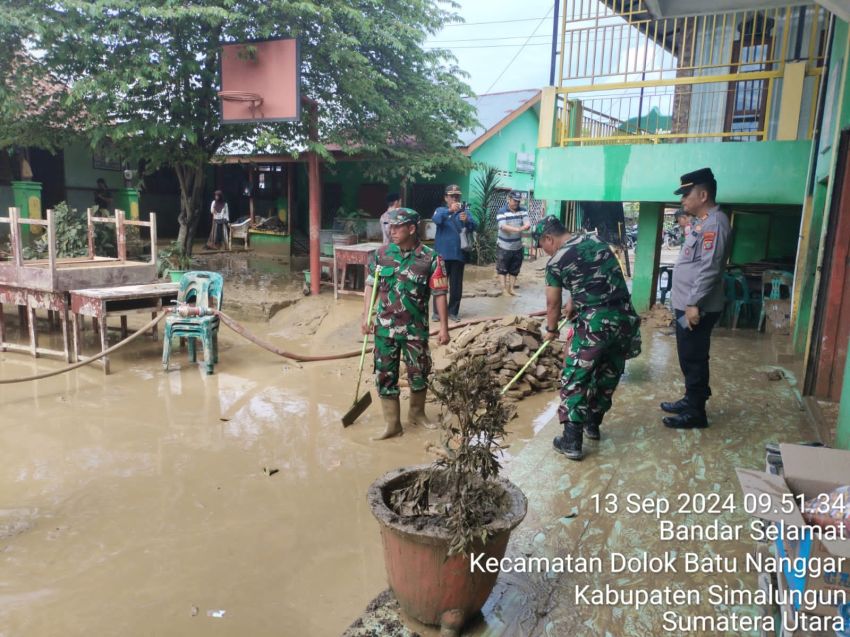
(810, 471)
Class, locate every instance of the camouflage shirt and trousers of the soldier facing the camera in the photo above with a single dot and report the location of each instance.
(407, 281)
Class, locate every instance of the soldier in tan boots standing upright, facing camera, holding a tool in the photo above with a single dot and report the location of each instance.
(408, 273)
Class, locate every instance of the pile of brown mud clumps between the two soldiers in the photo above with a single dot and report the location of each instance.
(506, 346)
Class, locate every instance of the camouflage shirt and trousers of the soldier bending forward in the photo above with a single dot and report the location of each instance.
(607, 329)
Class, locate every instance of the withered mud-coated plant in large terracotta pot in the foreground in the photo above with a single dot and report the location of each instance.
(433, 518)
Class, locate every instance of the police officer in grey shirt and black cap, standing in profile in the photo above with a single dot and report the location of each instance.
(697, 295)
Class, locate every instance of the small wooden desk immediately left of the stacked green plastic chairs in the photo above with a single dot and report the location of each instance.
(100, 303)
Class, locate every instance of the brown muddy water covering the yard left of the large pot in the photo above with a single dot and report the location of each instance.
(154, 503)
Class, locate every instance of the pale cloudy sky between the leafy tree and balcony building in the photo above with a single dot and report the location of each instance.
(491, 69)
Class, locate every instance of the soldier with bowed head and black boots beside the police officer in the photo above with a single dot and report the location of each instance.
(607, 329)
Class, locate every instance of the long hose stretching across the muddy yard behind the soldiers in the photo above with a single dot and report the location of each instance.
(236, 327)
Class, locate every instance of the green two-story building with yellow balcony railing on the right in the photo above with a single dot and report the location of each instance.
(758, 90)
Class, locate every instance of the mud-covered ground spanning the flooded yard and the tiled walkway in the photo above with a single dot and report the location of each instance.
(152, 503)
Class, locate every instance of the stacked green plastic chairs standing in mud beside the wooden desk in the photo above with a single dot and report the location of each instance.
(201, 289)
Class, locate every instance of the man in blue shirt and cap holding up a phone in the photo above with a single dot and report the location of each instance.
(450, 220)
